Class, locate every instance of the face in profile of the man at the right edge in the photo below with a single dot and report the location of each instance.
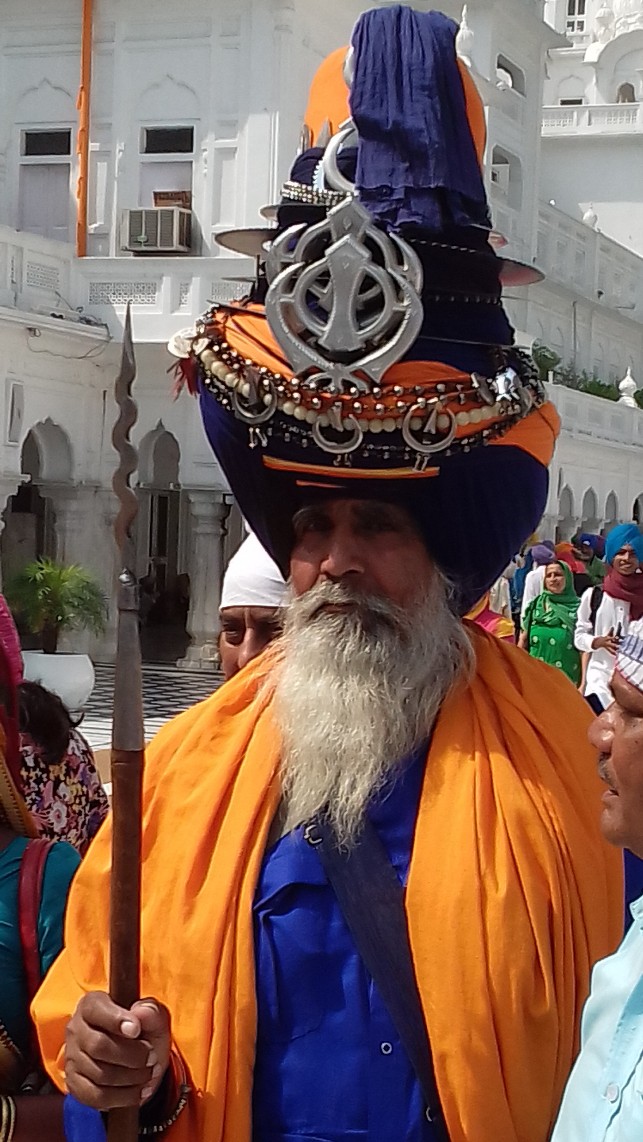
(618, 737)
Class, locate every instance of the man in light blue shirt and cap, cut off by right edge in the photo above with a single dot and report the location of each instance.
(604, 1100)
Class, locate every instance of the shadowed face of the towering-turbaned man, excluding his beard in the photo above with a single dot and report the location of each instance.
(369, 548)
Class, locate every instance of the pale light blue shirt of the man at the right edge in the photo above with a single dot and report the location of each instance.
(604, 1100)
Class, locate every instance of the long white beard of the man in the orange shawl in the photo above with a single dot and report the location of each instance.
(356, 693)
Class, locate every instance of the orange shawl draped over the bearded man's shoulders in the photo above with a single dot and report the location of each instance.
(512, 897)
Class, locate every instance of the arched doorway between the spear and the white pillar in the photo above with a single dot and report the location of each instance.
(165, 586)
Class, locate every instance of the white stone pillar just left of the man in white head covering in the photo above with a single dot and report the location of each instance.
(208, 514)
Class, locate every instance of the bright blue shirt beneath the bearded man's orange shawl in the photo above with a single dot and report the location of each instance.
(329, 1066)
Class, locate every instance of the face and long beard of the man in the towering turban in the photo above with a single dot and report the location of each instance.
(371, 652)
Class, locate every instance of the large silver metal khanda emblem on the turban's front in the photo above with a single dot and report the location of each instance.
(344, 300)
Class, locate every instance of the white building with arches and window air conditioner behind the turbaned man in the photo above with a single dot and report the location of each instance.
(202, 106)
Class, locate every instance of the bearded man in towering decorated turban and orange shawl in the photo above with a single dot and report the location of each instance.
(373, 879)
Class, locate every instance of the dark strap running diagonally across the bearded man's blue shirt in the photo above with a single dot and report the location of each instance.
(373, 903)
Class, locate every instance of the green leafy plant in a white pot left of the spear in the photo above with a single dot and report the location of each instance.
(49, 598)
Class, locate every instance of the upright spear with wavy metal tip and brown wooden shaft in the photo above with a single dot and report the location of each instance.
(128, 742)
